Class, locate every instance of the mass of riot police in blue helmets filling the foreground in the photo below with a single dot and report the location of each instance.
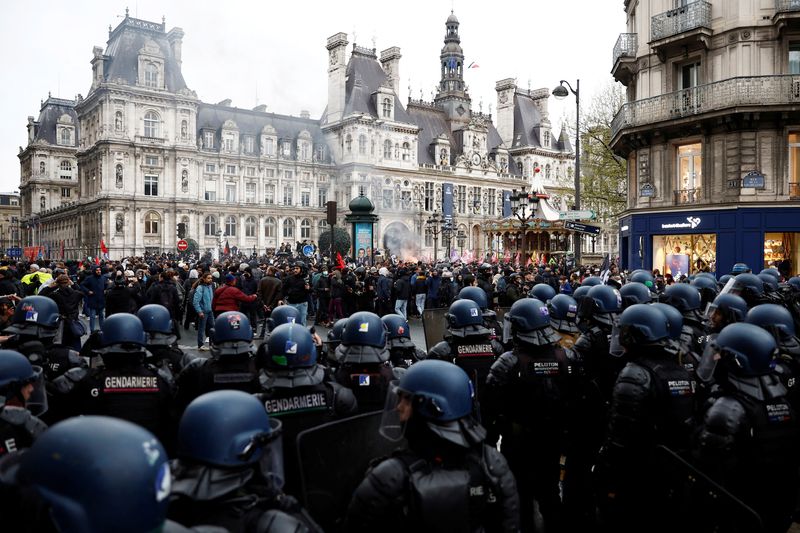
(611, 409)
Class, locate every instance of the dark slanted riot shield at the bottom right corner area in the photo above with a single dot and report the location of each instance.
(691, 497)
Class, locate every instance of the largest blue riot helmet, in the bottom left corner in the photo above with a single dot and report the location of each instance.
(68, 472)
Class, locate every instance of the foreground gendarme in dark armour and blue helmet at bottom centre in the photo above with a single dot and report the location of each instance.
(447, 478)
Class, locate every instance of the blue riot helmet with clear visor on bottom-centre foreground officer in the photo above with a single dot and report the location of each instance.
(437, 394)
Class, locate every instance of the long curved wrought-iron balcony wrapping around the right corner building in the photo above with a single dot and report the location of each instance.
(726, 94)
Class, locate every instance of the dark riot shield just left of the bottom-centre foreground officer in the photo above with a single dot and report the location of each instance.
(333, 460)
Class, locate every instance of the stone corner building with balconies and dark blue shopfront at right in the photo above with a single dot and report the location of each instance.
(711, 133)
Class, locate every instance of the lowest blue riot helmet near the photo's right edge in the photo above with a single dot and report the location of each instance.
(746, 349)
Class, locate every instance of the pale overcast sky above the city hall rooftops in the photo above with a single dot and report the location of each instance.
(273, 52)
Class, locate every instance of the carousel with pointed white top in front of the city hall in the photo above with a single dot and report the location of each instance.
(534, 233)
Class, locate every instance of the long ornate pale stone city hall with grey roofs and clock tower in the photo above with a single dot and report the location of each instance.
(145, 154)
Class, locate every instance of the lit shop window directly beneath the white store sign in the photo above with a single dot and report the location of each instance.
(682, 255)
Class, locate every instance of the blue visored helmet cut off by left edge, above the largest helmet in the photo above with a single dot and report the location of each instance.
(16, 373)
